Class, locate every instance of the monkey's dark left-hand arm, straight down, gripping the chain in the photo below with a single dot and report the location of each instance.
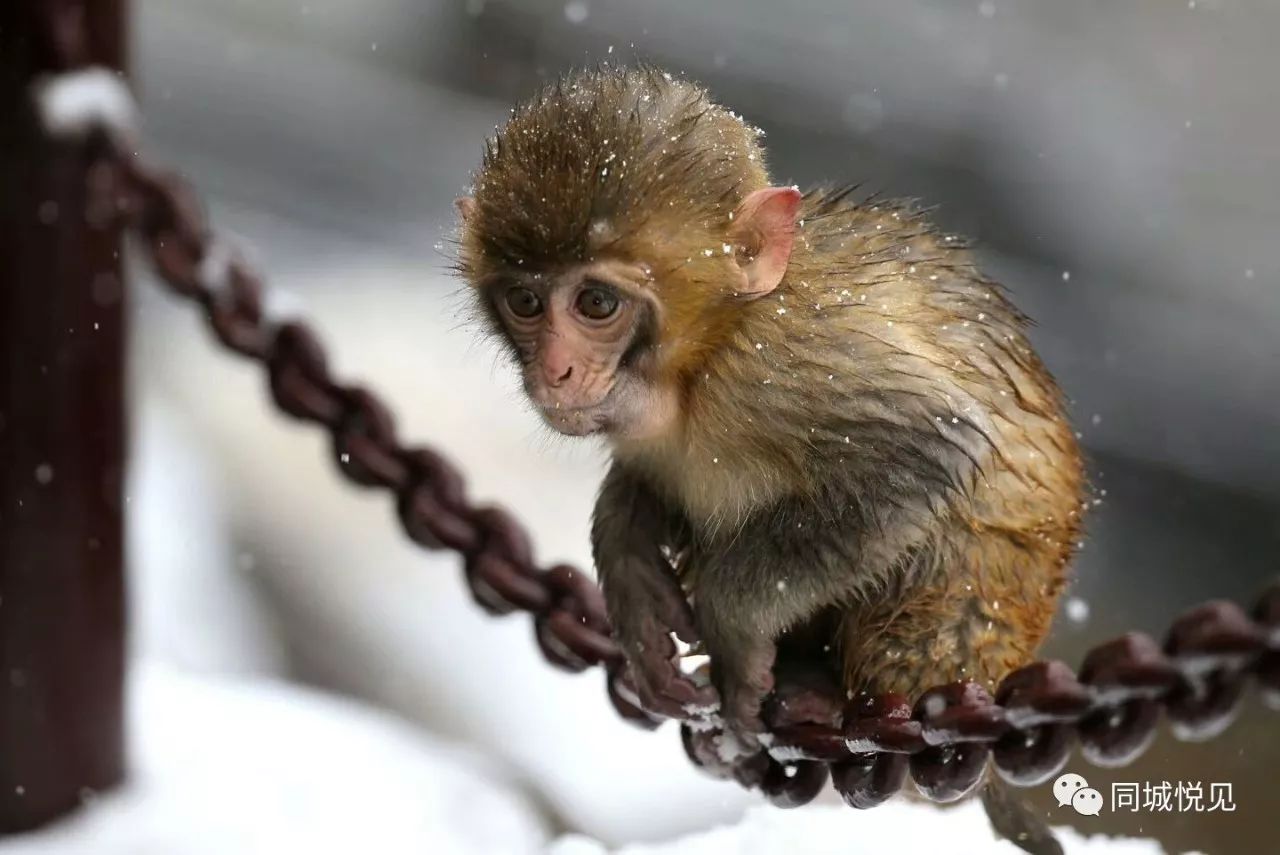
(644, 598)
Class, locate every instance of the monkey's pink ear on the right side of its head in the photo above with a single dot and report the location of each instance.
(766, 223)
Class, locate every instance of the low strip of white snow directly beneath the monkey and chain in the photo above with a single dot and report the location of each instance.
(899, 826)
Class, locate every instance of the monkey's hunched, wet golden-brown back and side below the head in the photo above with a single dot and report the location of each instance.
(893, 385)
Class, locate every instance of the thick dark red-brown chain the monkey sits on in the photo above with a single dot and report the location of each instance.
(867, 746)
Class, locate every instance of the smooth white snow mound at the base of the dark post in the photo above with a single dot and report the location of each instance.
(264, 769)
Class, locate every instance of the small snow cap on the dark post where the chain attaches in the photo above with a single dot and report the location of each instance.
(74, 103)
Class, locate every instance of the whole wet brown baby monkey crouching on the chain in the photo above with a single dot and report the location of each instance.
(820, 404)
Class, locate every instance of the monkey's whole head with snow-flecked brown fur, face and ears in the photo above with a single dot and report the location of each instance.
(619, 223)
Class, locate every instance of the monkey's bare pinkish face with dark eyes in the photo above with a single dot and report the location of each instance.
(586, 340)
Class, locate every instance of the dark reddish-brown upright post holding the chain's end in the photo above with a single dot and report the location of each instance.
(62, 435)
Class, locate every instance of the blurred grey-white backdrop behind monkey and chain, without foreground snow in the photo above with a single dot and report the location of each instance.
(1118, 163)
